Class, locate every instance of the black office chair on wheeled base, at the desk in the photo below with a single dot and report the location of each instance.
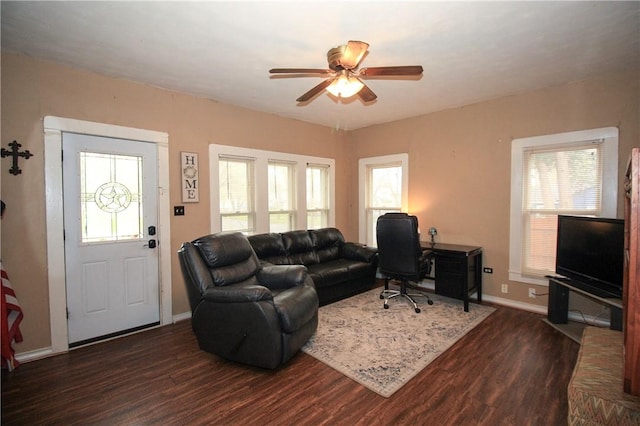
(400, 256)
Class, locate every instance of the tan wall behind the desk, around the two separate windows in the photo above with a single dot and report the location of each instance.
(460, 160)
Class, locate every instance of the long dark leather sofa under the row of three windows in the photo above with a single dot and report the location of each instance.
(338, 269)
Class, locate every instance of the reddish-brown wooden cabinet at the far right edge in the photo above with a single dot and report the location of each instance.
(631, 292)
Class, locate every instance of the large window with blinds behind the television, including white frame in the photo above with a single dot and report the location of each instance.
(571, 174)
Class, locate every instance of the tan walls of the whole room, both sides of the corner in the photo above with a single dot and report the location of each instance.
(459, 160)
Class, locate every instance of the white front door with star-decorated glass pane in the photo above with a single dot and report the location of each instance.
(110, 219)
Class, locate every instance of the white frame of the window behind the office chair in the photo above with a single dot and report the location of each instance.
(363, 165)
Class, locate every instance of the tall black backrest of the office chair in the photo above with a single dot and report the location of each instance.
(398, 245)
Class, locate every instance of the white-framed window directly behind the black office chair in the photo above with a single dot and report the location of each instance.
(383, 189)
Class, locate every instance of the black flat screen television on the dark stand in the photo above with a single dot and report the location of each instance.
(590, 254)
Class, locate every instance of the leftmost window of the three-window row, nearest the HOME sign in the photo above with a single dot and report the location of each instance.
(236, 194)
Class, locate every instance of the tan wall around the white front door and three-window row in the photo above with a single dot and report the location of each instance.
(33, 89)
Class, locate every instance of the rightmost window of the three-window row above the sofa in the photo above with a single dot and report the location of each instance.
(317, 196)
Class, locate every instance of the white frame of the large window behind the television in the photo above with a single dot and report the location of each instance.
(609, 135)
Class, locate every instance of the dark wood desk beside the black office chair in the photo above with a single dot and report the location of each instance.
(458, 270)
